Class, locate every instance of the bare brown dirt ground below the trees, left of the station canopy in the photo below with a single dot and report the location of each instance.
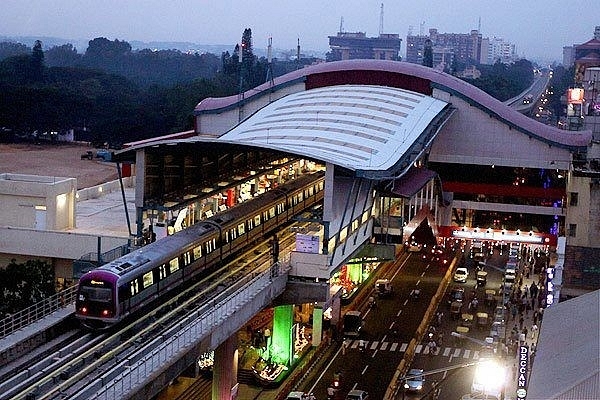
(56, 160)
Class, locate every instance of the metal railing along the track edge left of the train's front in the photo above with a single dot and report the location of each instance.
(37, 311)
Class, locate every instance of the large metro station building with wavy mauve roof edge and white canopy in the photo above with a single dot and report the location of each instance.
(403, 146)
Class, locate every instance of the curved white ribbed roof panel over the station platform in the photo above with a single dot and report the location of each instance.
(360, 127)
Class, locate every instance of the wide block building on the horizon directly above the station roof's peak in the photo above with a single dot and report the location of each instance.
(356, 45)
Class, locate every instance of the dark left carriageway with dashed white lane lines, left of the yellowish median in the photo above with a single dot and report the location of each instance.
(373, 368)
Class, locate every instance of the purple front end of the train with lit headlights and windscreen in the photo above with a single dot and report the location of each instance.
(96, 303)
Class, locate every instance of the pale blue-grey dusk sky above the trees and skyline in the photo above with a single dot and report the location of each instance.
(539, 29)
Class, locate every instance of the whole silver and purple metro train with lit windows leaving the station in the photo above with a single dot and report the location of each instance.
(108, 294)
